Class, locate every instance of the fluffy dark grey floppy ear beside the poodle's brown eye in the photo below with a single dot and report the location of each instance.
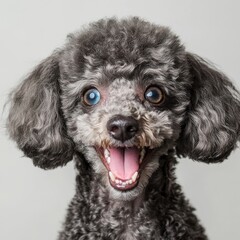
(212, 127)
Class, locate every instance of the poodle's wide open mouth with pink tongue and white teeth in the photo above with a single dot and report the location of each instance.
(124, 165)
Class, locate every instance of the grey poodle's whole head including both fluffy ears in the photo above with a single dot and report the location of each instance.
(123, 93)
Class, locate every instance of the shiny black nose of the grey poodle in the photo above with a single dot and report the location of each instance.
(122, 128)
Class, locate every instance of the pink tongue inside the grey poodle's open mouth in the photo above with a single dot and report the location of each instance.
(124, 162)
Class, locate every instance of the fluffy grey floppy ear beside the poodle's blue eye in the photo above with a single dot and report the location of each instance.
(35, 120)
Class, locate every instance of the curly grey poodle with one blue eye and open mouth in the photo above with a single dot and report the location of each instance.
(123, 99)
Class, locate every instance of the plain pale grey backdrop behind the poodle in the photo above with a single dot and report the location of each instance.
(33, 202)
